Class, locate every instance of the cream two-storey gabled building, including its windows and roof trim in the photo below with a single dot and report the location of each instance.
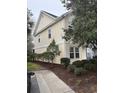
(51, 27)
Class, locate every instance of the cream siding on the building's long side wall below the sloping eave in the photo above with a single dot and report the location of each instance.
(56, 34)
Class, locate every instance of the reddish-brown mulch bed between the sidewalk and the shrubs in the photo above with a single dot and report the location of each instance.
(80, 84)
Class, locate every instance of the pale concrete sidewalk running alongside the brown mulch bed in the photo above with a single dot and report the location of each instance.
(49, 83)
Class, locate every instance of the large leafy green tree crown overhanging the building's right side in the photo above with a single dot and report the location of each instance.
(83, 29)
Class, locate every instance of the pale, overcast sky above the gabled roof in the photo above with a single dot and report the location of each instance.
(52, 6)
